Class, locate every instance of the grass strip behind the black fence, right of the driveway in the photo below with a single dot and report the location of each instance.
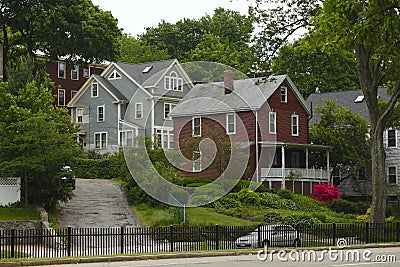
(195, 217)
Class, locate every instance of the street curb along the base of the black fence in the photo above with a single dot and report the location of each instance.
(108, 259)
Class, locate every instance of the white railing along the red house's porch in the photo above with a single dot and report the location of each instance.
(296, 173)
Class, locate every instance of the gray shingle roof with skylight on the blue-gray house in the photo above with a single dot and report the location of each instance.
(148, 78)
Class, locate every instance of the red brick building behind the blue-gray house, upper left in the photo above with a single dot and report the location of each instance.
(68, 79)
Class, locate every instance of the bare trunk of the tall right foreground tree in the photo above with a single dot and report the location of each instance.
(378, 175)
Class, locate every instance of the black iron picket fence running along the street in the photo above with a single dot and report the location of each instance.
(111, 241)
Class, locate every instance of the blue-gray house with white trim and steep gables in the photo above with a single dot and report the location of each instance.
(128, 100)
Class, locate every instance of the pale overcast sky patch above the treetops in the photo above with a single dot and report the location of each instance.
(134, 16)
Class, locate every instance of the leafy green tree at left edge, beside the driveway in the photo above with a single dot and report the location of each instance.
(37, 139)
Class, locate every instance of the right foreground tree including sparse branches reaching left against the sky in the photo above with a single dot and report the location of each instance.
(370, 30)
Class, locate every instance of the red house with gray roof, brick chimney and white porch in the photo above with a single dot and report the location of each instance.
(268, 117)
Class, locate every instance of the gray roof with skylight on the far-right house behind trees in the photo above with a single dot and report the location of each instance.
(352, 100)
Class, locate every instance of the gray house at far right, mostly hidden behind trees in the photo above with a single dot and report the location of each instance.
(354, 100)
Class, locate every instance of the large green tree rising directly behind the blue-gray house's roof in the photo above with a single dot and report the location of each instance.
(224, 37)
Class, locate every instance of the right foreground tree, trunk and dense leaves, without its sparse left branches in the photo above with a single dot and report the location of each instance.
(370, 28)
